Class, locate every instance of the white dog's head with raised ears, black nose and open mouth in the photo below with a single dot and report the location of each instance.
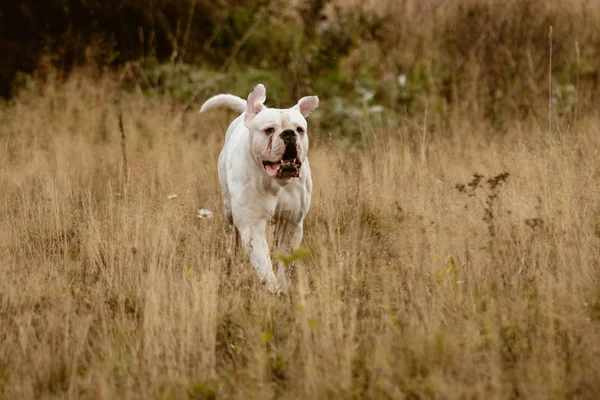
(279, 137)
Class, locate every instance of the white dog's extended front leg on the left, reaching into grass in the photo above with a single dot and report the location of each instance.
(255, 242)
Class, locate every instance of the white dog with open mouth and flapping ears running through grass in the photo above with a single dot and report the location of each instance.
(264, 175)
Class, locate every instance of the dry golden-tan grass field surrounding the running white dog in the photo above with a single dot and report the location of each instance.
(413, 288)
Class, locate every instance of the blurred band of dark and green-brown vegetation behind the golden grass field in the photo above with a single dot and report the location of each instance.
(368, 59)
